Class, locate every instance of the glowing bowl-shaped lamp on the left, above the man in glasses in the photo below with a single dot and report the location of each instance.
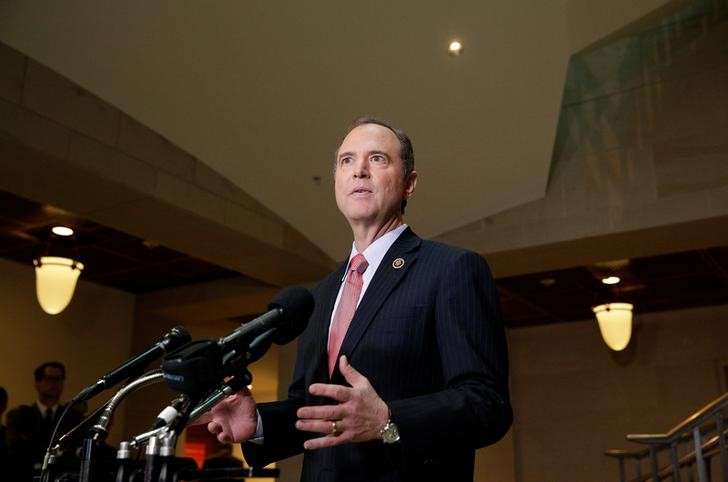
(55, 280)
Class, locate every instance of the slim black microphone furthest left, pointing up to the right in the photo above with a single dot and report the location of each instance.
(134, 366)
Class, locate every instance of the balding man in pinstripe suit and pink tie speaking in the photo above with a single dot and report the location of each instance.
(402, 371)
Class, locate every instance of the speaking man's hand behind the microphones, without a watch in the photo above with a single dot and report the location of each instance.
(234, 419)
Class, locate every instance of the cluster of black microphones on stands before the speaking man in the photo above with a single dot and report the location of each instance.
(201, 372)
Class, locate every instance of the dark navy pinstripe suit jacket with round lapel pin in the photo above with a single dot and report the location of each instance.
(429, 338)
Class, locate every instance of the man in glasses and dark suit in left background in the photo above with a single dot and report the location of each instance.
(30, 426)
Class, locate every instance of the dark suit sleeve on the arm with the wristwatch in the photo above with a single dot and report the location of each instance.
(473, 409)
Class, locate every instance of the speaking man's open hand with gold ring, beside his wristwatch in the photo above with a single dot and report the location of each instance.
(358, 417)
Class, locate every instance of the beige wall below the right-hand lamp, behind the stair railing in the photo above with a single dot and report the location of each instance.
(574, 398)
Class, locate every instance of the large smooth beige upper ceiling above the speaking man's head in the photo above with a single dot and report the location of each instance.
(262, 92)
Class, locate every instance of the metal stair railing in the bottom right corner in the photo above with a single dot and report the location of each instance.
(685, 450)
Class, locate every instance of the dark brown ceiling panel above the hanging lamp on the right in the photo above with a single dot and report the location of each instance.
(655, 283)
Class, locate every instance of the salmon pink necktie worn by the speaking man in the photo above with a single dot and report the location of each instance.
(347, 306)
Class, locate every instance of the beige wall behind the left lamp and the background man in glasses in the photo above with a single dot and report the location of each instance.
(92, 336)
